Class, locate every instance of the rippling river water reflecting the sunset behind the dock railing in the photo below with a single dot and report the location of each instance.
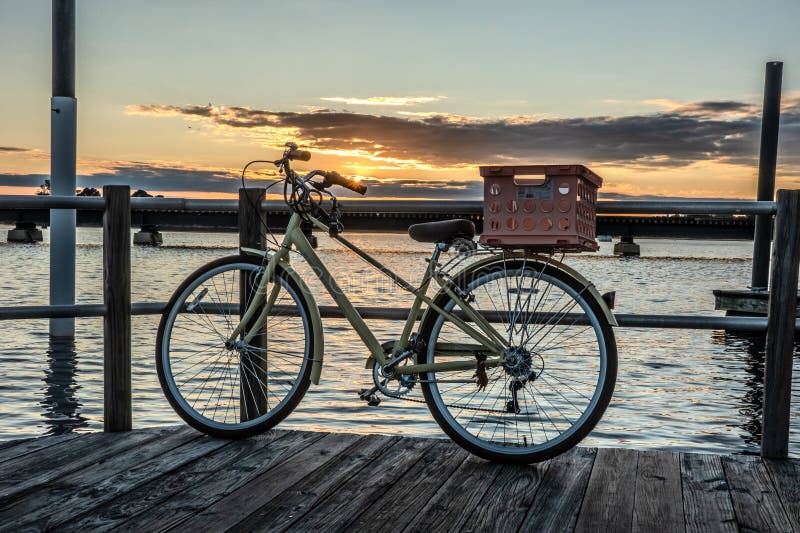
(678, 389)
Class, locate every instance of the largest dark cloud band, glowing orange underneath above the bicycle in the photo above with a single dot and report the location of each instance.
(680, 135)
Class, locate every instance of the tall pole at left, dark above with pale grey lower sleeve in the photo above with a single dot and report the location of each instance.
(63, 150)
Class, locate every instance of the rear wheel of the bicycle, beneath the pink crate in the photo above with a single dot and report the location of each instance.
(559, 370)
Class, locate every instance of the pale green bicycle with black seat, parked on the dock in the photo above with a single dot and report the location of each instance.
(515, 354)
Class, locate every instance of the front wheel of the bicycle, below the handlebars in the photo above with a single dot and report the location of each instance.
(236, 391)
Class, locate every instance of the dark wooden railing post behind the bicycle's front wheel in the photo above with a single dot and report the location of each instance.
(252, 234)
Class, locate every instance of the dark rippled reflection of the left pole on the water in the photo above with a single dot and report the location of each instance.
(60, 405)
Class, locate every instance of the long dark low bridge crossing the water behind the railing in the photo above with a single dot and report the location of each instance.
(615, 218)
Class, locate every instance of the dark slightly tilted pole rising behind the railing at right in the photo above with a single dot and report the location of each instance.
(768, 158)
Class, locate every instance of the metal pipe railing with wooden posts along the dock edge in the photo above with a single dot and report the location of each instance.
(777, 382)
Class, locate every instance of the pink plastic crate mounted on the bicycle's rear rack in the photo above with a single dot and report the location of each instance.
(540, 207)
